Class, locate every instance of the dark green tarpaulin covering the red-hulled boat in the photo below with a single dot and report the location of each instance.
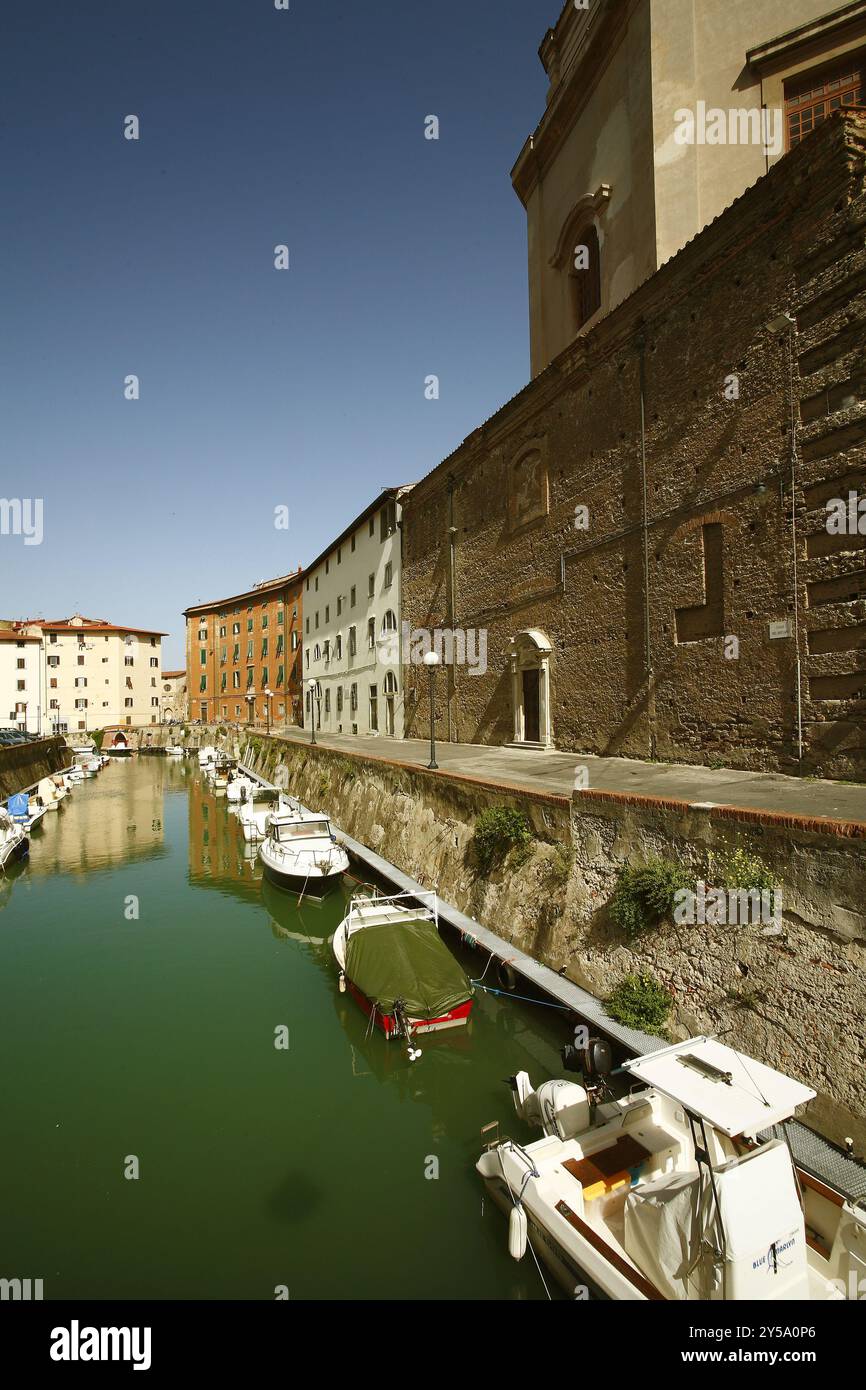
(407, 961)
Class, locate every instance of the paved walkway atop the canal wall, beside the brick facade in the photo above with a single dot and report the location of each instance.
(557, 772)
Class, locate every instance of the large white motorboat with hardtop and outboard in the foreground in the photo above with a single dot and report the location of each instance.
(680, 1191)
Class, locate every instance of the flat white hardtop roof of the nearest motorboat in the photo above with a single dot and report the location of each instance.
(733, 1093)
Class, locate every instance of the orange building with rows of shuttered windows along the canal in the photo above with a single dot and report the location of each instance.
(243, 648)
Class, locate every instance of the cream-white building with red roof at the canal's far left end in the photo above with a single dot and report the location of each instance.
(79, 676)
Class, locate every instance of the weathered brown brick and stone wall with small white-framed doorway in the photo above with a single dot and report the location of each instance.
(643, 626)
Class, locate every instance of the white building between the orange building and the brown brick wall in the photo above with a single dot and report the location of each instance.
(352, 626)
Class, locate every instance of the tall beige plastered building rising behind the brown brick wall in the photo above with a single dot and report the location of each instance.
(660, 115)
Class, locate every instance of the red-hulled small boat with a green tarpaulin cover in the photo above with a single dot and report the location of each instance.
(398, 968)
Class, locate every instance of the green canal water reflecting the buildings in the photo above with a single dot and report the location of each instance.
(152, 1036)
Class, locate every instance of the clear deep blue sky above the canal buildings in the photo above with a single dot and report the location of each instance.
(259, 389)
